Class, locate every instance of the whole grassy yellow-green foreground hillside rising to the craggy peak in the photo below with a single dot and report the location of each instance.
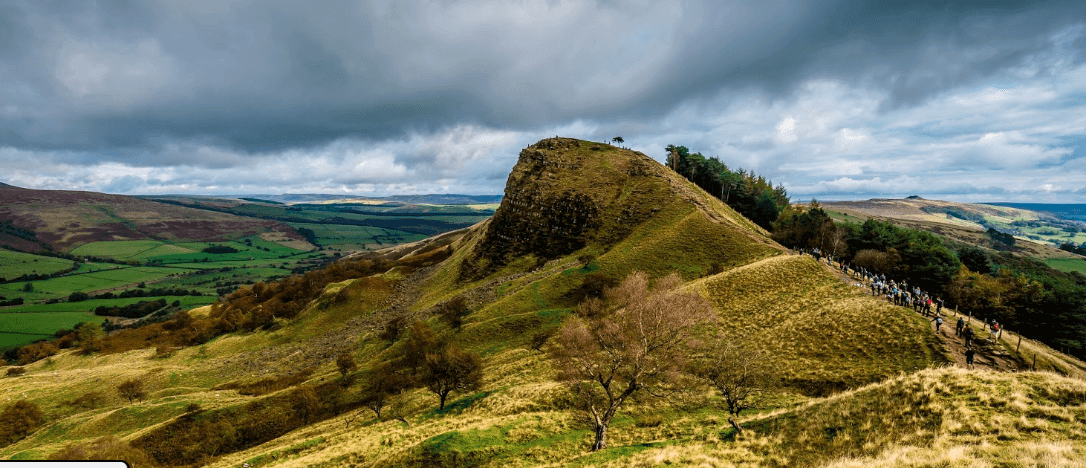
(862, 383)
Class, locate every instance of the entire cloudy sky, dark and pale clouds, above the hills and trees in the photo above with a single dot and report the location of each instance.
(835, 99)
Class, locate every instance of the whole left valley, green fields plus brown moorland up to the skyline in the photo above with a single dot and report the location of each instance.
(66, 256)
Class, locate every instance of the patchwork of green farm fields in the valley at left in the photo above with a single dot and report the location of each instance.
(174, 264)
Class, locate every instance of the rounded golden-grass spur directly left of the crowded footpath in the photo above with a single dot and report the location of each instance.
(827, 335)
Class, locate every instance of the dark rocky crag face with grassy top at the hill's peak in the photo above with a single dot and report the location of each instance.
(564, 195)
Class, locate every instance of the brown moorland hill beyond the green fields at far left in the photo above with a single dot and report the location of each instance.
(58, 221)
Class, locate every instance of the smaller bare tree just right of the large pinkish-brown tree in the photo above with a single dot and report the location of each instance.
(740, 373)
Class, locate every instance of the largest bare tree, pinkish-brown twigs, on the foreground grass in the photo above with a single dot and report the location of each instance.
(639, 345)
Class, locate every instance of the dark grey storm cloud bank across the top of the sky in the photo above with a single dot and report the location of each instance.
(264, 77)
